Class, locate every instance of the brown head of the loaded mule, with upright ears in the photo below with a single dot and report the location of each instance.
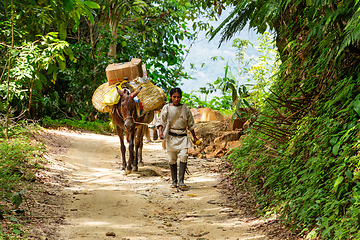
(128, 108)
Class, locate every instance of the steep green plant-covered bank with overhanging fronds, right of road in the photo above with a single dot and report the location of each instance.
(301, 157)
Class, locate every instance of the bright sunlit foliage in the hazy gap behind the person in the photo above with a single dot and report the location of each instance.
(259, 73)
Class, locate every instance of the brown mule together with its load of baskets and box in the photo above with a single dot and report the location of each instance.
(126, 82)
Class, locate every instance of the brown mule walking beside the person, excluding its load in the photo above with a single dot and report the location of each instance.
(128, 120)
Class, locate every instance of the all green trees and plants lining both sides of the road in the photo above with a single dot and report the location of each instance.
(299, 158)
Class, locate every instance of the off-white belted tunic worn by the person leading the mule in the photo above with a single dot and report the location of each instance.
(182, 124)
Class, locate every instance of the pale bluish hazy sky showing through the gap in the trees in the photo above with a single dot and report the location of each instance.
(201, 52)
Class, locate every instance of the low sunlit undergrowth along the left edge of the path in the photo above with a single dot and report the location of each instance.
(20, 157)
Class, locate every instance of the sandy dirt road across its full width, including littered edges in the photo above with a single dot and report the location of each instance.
(83, 194)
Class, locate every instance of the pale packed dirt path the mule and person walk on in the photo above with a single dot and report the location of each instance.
(101, 200)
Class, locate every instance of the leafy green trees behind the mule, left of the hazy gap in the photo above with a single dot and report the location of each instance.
(56, 75)
